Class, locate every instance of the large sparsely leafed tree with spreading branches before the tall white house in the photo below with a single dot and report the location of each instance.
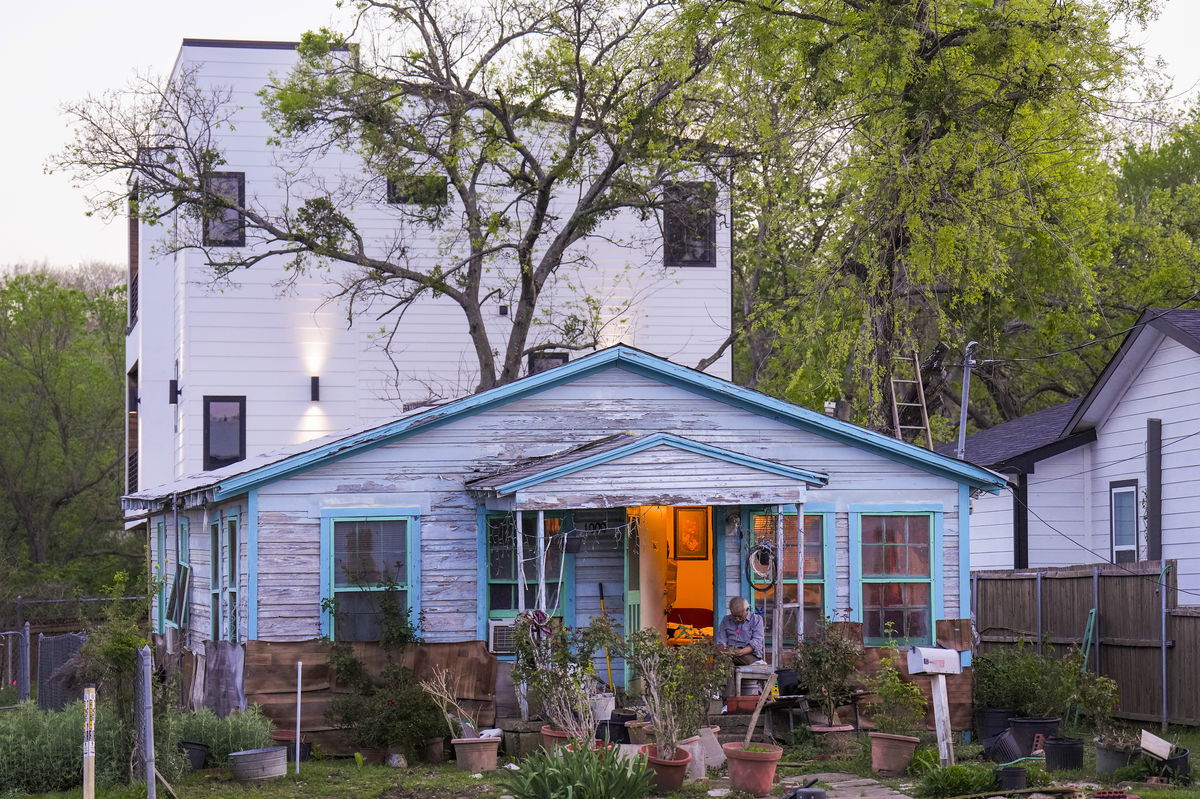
(511, 130)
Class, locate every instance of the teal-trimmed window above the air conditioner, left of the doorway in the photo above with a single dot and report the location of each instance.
(502, 563)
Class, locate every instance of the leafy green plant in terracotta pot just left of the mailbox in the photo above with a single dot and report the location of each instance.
(898, 711)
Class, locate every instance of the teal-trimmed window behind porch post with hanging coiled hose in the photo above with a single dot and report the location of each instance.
(764, 532)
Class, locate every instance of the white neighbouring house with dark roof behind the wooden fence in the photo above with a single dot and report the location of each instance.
(1109, 477)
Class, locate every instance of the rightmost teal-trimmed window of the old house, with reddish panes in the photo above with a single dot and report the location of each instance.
(897, 578)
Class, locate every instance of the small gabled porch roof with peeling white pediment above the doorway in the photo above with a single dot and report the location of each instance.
(651, 470)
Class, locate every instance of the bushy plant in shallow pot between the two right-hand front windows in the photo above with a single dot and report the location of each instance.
(826, 662)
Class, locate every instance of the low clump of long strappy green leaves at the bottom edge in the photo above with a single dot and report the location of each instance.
(580, 774)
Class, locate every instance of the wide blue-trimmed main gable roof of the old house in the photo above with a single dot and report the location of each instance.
(267, 468)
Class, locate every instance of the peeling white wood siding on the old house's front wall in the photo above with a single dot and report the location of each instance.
(429, 472)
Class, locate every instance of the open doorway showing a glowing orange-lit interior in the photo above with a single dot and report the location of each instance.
(675, 586)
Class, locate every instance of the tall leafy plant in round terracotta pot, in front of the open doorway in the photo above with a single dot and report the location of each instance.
(662, 670)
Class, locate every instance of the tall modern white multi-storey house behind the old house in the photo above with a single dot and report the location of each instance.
(220, 371)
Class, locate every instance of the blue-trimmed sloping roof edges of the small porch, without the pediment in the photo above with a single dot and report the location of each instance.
(614, 448)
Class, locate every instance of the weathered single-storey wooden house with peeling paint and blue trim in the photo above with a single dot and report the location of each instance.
(620, 472)
